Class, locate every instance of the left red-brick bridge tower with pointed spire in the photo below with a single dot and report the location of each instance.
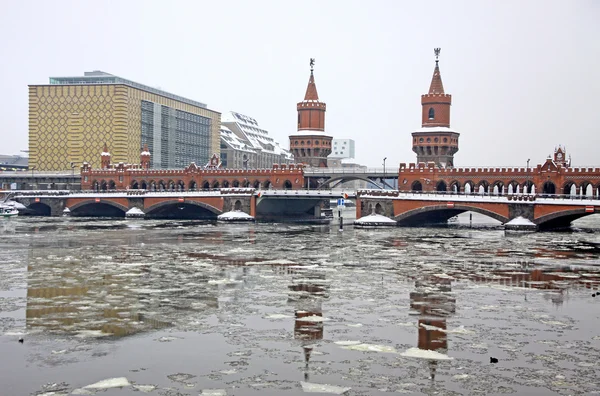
(310, 145)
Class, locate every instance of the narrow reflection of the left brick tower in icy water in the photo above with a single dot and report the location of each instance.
(306, 294)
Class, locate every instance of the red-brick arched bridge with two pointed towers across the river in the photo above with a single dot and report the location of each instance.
(430, 191)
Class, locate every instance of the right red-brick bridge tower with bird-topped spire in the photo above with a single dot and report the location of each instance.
(435, 141)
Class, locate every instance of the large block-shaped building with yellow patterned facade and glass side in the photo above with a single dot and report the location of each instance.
(72, 118)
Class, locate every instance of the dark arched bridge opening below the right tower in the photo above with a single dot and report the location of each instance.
(438, 215)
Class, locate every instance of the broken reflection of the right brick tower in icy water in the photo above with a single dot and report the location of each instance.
(433, 303)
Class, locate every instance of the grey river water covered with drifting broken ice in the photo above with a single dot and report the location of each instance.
(188, 308)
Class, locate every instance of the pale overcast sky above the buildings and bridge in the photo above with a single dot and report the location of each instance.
(523, 74)
